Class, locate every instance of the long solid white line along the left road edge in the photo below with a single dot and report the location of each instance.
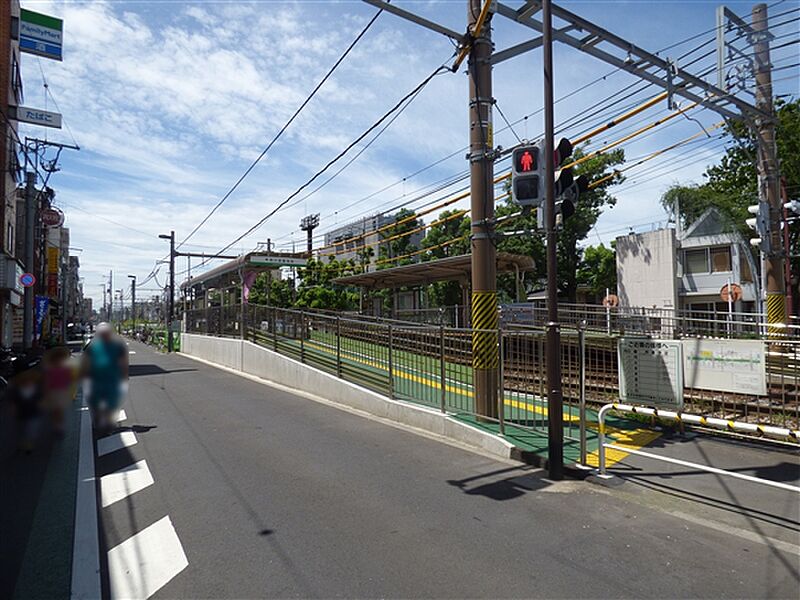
(85, 544)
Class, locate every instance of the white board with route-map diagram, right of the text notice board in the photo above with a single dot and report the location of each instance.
(736, 366)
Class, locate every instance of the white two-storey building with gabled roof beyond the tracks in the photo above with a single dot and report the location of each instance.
(686, 270)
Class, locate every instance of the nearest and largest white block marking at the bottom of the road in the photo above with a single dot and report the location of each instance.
(145, 562)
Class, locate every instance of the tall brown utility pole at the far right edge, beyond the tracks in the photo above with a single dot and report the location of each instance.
(768, 176)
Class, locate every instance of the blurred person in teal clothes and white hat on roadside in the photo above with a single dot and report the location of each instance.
(105, 367)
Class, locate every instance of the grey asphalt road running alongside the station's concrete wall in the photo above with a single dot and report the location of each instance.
(275, 495)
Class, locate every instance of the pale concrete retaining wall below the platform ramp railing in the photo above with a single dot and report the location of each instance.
(273, 367)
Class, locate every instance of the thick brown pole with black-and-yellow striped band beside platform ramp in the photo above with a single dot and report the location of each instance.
(485, 355)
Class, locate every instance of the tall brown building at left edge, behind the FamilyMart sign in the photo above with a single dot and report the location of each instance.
(11, 175)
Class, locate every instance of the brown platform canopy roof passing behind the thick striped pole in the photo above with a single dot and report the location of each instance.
(451, 268)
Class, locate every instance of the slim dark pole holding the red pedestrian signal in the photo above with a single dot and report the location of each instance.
(555, 419)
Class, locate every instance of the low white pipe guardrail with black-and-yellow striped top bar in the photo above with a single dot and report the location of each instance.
(712, 422)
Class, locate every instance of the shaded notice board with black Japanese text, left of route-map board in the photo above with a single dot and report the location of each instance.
(651, 372)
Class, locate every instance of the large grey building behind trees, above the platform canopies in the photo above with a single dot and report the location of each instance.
(340, 242)
